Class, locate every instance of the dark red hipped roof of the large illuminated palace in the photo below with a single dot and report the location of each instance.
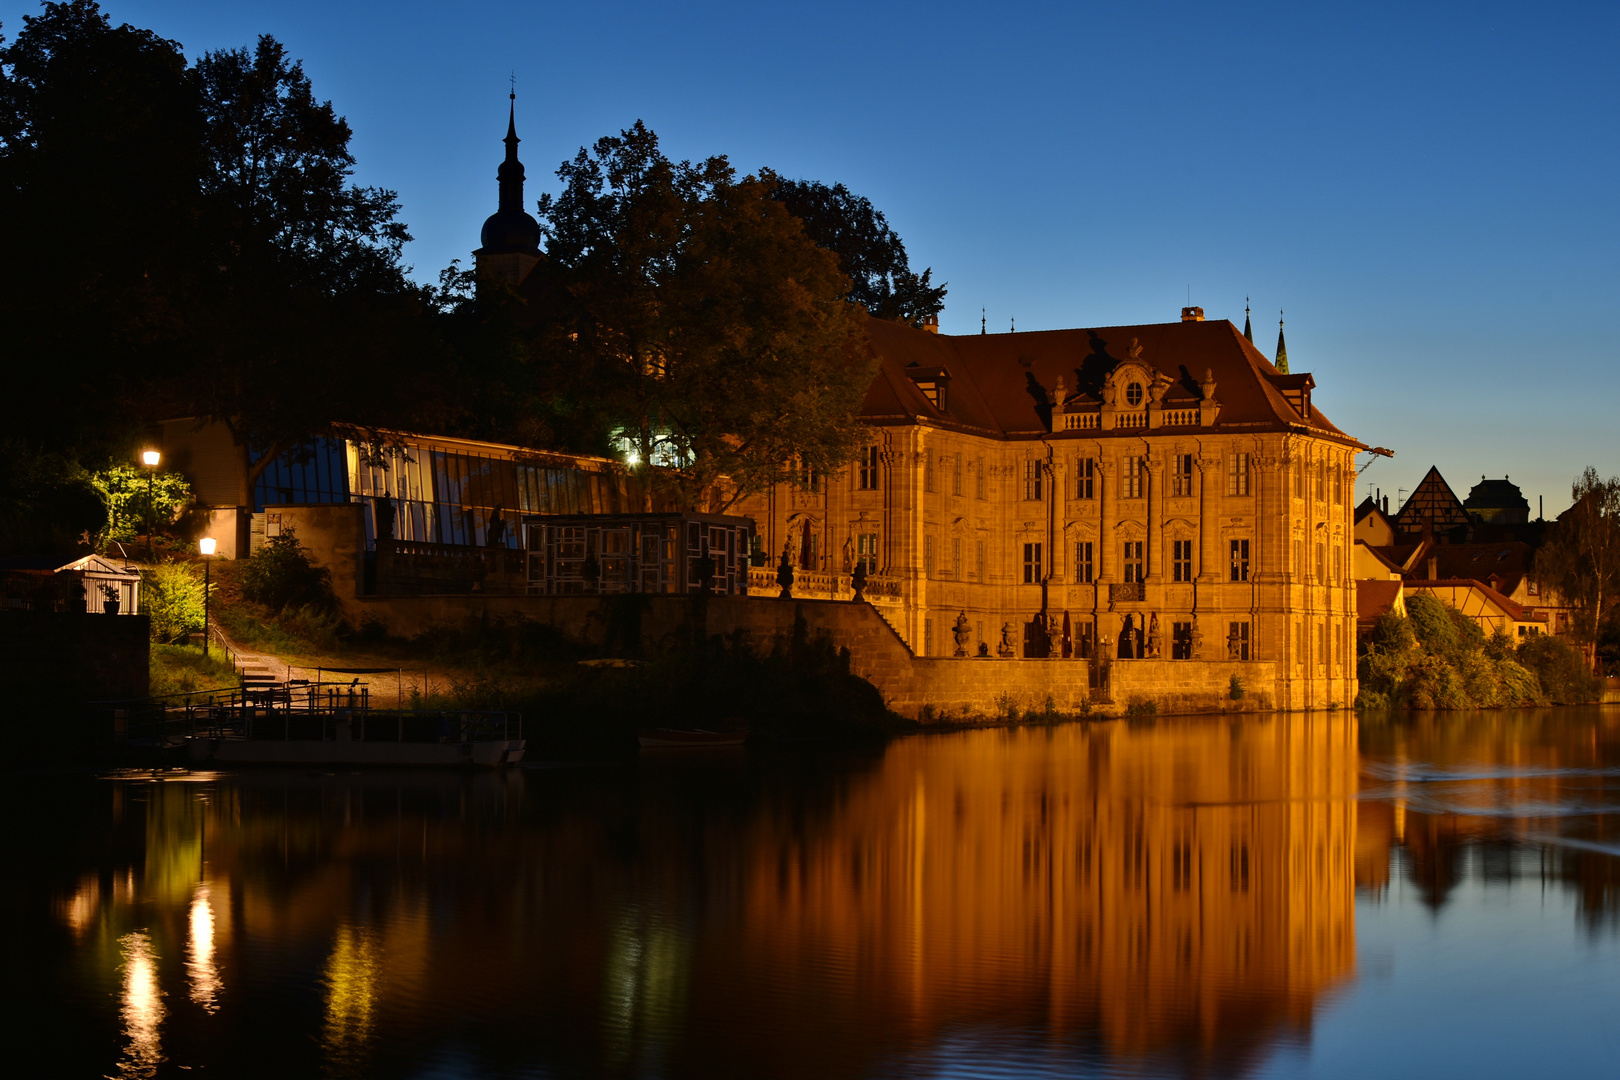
(1002, 383)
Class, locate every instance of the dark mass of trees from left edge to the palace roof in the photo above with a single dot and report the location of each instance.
(185, 239)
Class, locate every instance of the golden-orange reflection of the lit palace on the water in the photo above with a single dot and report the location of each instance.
(1170, 887)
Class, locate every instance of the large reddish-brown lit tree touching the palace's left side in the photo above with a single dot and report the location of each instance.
(707, 333)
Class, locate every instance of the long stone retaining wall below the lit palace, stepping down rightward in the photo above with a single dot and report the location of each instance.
(947, 687)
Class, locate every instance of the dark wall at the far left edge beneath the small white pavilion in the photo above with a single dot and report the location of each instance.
(62, 660)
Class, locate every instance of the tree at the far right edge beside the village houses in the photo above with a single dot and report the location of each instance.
(1582, 556)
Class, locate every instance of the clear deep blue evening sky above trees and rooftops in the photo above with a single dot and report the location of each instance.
(1428, 190)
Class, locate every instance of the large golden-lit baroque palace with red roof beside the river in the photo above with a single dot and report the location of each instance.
(1112, 495)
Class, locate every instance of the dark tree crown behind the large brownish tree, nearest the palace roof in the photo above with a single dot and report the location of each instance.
(868, 250)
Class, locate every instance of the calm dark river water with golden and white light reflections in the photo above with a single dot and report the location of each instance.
(1271, 898)
